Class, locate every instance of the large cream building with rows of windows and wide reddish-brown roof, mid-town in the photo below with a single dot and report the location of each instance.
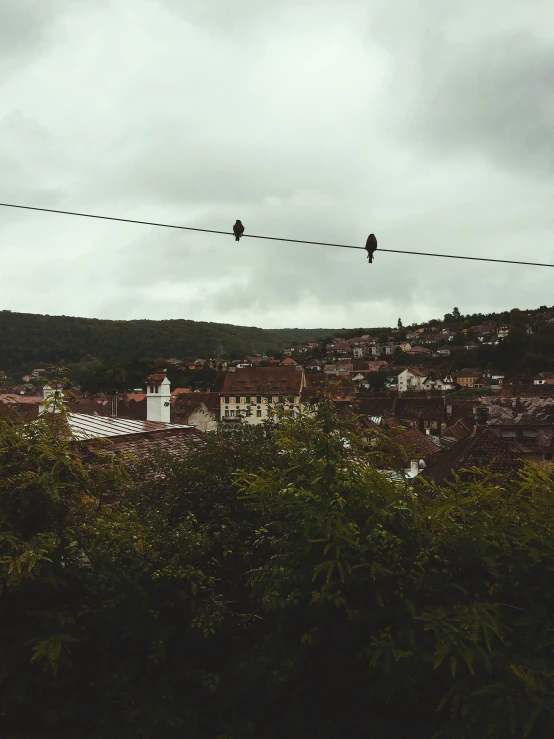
(250, 393)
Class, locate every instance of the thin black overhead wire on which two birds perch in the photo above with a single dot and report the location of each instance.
(270, 238)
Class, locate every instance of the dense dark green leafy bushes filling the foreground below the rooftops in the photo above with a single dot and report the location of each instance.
(271, 584)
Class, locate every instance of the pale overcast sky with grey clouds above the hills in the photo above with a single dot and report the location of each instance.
(427, 122)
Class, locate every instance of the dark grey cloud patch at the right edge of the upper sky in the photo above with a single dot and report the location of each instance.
(497, 99)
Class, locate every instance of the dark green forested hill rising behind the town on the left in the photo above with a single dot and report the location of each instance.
(27, 337)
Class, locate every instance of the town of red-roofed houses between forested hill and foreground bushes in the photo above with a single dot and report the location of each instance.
(425, 386)
